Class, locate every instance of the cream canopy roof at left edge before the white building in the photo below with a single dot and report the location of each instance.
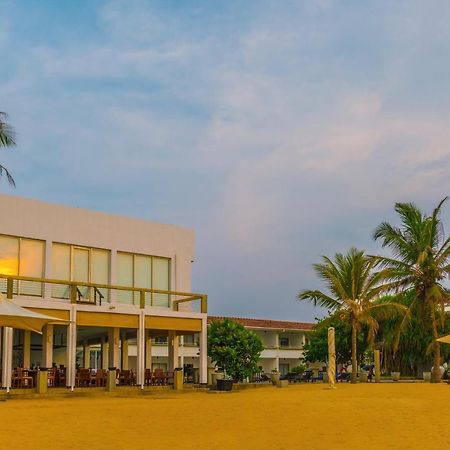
(12, 315)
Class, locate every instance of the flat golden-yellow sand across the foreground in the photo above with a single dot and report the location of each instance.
(366, 416)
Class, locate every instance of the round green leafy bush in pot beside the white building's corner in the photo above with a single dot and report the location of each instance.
(234, 349)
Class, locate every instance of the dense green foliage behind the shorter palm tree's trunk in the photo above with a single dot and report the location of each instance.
(317, 347)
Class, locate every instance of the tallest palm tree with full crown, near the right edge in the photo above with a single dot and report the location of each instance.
(420, 263)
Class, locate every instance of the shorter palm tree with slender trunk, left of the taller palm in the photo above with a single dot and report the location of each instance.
(353, 287)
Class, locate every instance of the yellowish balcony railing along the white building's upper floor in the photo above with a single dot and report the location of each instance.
(95, 293)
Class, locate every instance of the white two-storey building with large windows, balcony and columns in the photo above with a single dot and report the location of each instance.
(112, 280)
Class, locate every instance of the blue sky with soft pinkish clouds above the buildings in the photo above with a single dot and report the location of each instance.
(280, 131)
